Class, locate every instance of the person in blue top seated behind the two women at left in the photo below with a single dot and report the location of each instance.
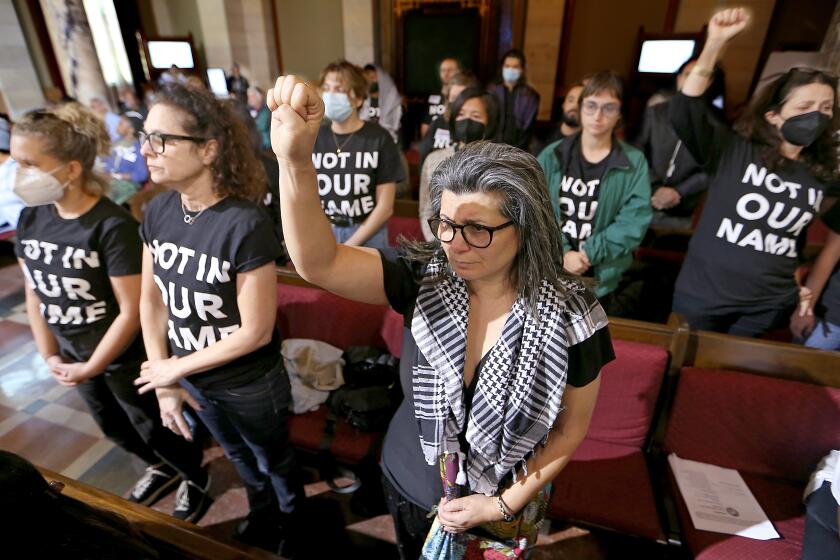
(125, 165)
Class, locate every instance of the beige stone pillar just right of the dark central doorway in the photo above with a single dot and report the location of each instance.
(543, 32)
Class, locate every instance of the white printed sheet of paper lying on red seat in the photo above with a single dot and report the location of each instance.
(719, 500)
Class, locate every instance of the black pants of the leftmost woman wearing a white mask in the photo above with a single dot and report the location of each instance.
(132, 421)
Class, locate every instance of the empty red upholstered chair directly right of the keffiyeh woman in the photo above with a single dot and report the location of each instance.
(607, 482)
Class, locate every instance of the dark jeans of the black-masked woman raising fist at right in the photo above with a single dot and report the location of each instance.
(751, 322)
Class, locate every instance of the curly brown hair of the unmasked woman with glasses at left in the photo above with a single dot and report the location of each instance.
(236, 170)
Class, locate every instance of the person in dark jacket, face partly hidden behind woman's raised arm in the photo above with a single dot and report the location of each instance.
(676, 178)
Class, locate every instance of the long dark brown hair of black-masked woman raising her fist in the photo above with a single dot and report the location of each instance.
(821, 156)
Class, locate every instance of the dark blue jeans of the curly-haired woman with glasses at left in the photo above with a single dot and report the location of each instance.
(251, 423)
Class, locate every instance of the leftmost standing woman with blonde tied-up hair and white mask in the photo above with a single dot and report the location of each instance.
(80, 253)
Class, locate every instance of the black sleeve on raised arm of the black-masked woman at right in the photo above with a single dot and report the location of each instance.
(705, 137)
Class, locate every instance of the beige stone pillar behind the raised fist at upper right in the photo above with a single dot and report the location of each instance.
(741, 57)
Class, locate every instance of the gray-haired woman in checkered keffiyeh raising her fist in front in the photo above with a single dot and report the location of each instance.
(501, 348)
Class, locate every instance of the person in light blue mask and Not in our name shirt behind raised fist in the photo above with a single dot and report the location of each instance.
(358, 163)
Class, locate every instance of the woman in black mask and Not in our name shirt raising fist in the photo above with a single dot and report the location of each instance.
(767, 184)
